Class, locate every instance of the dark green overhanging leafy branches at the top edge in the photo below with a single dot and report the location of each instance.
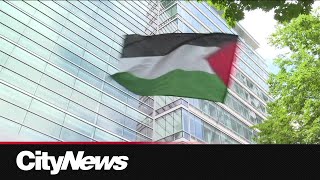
(284, 11)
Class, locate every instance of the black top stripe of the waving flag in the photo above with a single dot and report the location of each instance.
(160, 45)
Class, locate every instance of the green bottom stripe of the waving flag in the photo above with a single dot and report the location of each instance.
(193, 84)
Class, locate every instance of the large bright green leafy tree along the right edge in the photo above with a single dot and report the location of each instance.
(294, 115)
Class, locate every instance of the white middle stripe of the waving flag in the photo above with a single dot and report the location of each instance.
(186, 57)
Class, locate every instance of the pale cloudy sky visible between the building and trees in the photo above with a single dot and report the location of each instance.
(261, 25)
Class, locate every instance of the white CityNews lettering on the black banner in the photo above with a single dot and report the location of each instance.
(42, 161)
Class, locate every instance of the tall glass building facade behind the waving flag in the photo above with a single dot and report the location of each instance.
(56, 58)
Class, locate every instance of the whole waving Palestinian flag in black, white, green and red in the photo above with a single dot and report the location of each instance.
(183, 65)
